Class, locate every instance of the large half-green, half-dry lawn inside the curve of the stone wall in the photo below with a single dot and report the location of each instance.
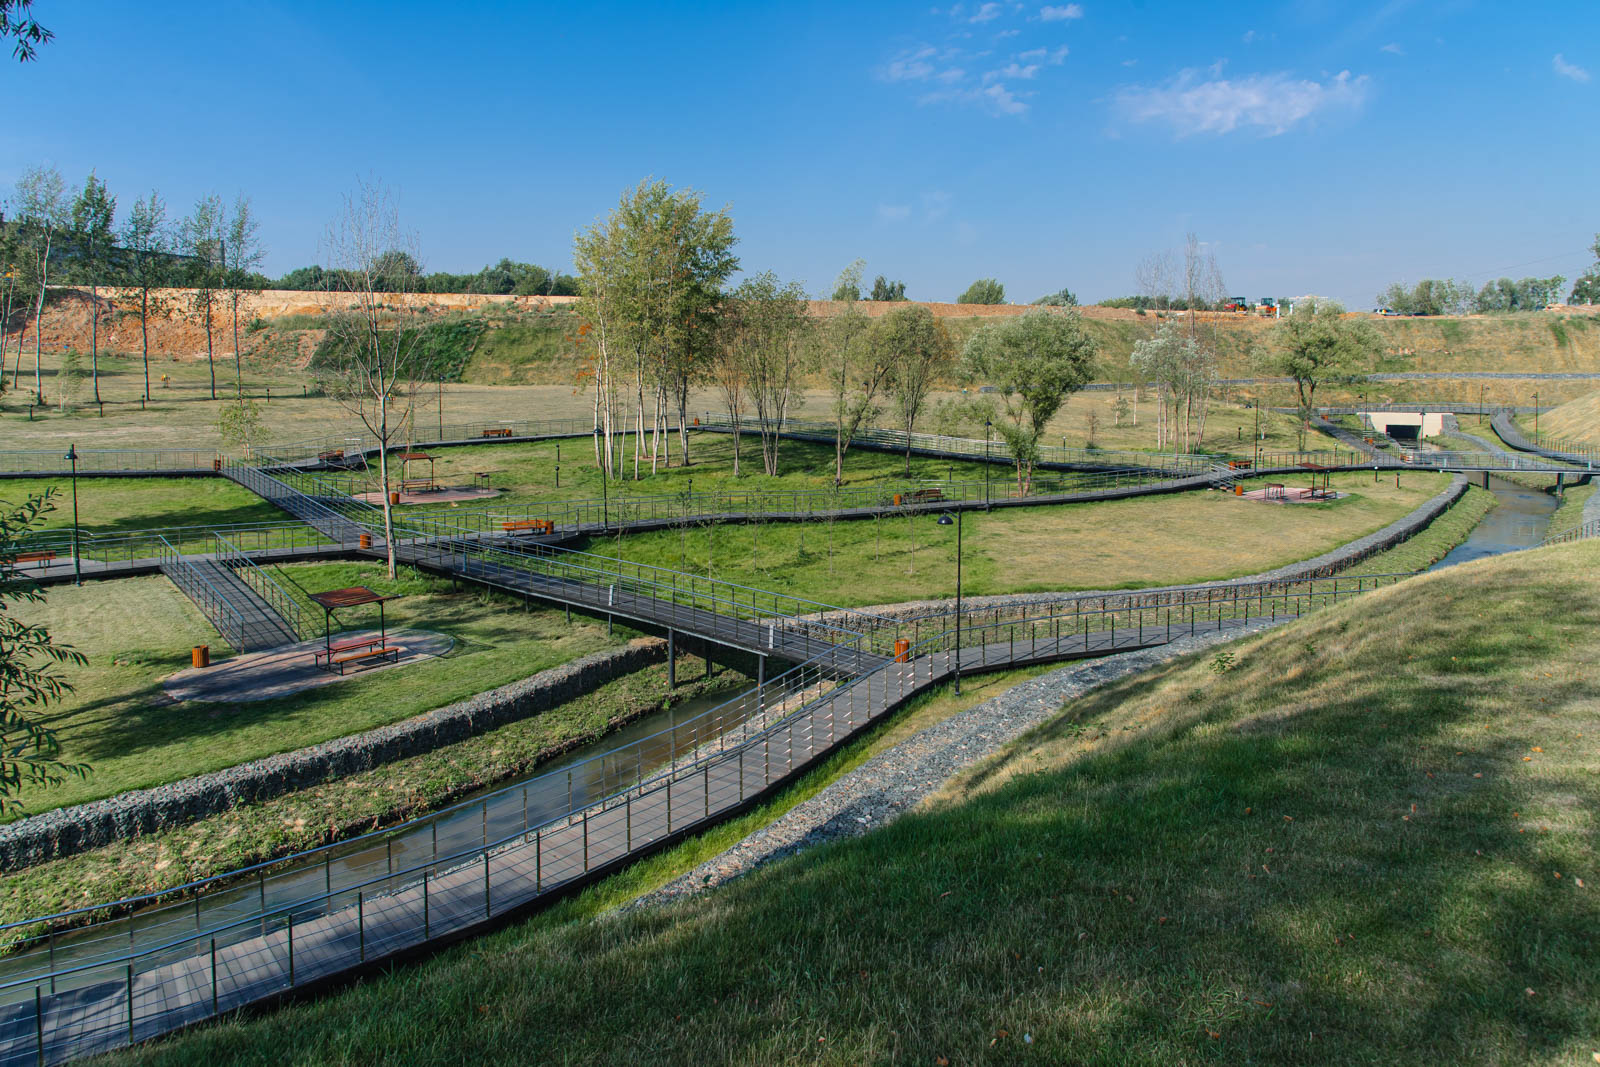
(1111, 545)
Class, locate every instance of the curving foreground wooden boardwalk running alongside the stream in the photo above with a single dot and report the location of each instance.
(191, 969)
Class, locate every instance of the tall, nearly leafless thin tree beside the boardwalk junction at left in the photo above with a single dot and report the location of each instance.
(375, 342)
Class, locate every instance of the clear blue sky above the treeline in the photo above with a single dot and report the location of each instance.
(1316, 146)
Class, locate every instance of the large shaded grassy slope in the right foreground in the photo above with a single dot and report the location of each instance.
(1370, 841)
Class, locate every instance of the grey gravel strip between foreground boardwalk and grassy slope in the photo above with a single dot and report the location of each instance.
(895, 781)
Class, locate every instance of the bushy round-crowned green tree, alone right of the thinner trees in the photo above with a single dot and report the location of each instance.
(1034, 362)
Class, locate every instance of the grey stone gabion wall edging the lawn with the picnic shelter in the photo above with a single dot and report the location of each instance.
(82, 828)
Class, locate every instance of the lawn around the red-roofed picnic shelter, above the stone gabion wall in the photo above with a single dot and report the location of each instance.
(140, 631)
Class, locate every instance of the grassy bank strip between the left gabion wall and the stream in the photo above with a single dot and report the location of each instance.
(359, 804)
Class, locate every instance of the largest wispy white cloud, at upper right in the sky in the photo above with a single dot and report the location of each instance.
(1271, 103)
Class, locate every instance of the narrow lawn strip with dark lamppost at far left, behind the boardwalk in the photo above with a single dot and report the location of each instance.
(119, 506)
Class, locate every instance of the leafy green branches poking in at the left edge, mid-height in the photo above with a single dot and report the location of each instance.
(30, 681)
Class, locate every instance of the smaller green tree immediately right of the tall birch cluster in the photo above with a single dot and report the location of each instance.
(769, 335)
